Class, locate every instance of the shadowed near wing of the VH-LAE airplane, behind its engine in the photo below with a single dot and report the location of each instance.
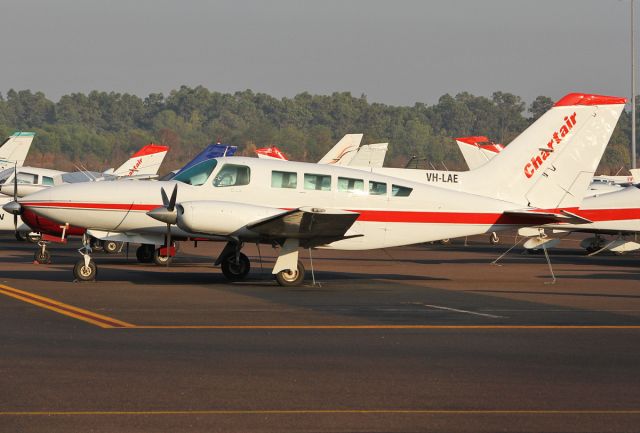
(312, 226)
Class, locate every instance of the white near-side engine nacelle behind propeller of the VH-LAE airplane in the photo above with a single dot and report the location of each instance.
(220, 217)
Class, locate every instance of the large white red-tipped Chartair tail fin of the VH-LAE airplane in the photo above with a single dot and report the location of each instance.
(551, 163)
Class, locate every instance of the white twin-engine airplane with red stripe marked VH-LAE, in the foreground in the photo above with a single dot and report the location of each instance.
(540, 177)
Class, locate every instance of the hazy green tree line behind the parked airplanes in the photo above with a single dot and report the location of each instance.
(100, 129)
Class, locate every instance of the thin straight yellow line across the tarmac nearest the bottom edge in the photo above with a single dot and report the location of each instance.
(334, 412)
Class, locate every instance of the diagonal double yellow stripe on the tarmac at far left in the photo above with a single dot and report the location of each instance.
(65, 309)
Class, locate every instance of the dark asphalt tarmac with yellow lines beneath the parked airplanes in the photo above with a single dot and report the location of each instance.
(422, 338)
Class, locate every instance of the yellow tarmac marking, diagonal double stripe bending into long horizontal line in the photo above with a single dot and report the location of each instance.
(111, 323)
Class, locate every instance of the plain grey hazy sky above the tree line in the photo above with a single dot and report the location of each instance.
(397, 52)
